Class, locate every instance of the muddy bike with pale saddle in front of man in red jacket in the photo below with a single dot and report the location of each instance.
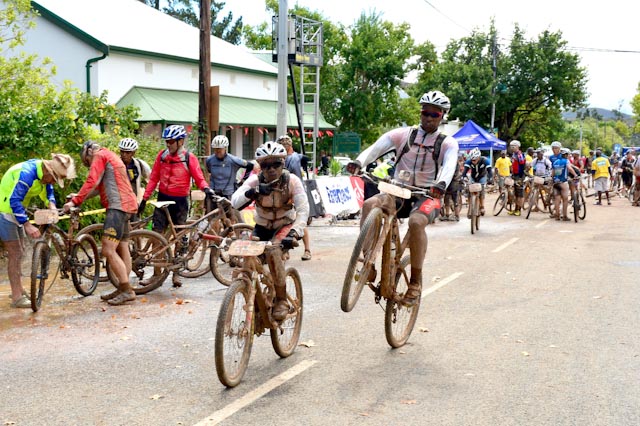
(154, 256)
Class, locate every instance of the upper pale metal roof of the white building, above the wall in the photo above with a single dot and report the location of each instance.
(131, 26)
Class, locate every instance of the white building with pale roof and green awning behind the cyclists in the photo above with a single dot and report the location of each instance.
(144, 57)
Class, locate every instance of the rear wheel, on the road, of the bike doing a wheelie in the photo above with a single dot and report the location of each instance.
(400, 319)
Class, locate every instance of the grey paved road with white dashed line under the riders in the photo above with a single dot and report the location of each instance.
(527, 322)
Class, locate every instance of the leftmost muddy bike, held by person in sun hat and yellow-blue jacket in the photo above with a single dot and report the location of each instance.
(78, 256)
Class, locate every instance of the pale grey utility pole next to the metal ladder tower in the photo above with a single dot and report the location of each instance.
(283, 55)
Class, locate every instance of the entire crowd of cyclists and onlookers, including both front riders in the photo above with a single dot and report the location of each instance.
(422, 157)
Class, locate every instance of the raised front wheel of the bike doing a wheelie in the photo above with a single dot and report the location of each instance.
(361, 264)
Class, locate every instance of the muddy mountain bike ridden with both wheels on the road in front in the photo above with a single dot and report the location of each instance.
(246, 309)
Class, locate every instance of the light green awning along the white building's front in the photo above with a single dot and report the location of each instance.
(178, 106)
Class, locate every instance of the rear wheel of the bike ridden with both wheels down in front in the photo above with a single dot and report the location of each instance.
(284, 339)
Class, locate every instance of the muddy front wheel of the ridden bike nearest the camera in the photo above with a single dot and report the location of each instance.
(234, 334)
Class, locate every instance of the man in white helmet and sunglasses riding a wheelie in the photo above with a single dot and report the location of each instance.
(428, 158)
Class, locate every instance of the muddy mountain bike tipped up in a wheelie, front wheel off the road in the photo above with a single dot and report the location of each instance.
(379, 244)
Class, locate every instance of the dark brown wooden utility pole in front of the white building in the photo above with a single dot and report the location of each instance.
(204, 101)
